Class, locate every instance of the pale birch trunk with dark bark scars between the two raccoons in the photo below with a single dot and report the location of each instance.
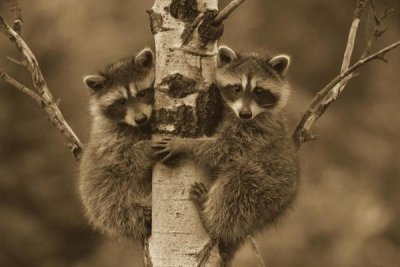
(186, 105)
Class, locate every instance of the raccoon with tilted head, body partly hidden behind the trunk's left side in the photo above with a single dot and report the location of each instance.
(115, 171)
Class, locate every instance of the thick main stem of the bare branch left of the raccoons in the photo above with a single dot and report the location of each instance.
(50, 106)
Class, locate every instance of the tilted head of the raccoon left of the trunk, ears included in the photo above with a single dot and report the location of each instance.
(124, 93)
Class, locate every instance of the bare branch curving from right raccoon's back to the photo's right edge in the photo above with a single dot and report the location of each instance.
(320, 102)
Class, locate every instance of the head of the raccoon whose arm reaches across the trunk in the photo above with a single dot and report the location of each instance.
(252, 85)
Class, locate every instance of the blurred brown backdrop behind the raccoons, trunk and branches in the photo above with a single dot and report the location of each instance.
(348, 210)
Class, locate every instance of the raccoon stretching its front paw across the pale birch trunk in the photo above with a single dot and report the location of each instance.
(251, 155)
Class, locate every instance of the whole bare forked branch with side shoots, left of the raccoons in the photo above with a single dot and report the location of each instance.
(42, 96)
